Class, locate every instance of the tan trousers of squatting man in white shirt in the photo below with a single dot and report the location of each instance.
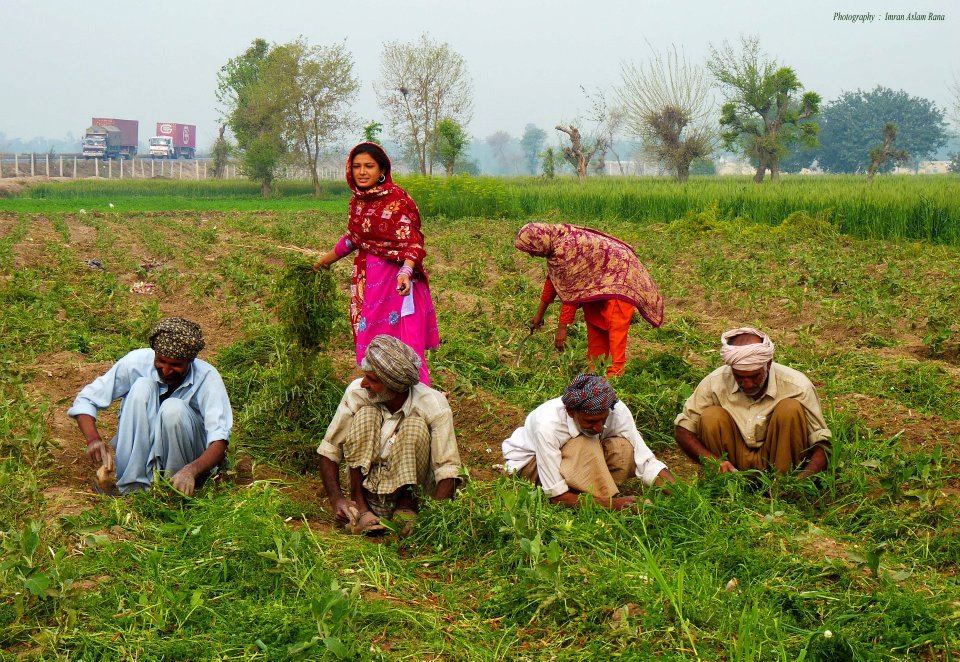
(591, 465)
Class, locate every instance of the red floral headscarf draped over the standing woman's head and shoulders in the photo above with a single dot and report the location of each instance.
(384, 220)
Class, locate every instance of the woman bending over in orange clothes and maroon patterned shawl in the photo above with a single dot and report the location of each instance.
(596, 272)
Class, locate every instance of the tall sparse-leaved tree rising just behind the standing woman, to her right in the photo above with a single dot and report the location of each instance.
(421, 83)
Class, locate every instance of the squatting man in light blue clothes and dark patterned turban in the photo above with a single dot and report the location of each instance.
(175, 416)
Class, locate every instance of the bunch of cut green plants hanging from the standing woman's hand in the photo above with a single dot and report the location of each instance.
(307, 303)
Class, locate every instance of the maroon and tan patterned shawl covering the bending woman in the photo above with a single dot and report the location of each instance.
(586, 265)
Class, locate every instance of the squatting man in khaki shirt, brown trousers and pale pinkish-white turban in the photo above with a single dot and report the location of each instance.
(753, 413)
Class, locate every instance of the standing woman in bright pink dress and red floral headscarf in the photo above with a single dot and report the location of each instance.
(389, 292)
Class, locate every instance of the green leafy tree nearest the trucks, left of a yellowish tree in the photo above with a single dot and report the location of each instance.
(252, 114)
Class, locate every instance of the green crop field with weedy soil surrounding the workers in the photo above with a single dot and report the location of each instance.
(856, 284)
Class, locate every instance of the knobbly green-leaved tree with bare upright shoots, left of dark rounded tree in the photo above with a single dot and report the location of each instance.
(767, 112)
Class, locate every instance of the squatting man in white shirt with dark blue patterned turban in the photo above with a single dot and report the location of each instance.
(583, 445)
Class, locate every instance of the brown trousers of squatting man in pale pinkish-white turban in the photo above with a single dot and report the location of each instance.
(784, 448)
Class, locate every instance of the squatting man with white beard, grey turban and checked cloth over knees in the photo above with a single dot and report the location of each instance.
(394, 434)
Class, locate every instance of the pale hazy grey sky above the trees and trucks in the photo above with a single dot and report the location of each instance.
(67, 61)
